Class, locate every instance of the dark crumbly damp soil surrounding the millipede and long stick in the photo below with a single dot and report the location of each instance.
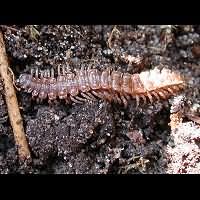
(99, 137)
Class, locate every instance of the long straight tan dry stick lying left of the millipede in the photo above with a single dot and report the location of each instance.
(12, 104)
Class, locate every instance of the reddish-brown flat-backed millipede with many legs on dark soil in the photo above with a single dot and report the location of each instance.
(110, 85)
